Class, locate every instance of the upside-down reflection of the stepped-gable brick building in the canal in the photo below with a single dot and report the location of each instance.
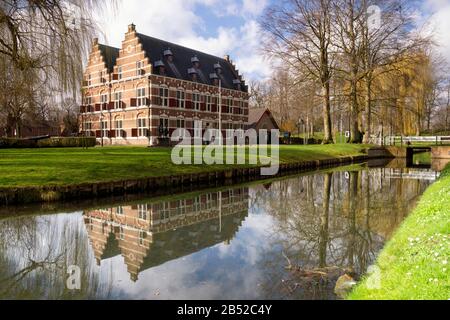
(148, 235)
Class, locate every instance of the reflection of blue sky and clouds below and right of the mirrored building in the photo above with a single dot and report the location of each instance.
(220, 272)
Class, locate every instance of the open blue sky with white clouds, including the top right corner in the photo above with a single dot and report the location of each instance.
(222, 27)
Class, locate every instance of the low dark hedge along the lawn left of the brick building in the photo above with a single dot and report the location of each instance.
(72, 142)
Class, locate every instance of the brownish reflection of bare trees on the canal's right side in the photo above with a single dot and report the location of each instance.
(332, 222)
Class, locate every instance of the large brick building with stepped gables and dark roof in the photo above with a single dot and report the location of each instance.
(142, 92)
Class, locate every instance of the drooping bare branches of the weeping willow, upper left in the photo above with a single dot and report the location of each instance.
(51, 36)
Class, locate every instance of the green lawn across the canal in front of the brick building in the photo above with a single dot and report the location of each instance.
(36, 167)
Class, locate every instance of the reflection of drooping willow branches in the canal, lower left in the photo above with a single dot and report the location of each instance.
(35, 254)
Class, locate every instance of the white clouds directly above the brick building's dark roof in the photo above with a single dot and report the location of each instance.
(178, 21)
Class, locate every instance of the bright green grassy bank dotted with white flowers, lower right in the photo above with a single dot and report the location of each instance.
(414, 264)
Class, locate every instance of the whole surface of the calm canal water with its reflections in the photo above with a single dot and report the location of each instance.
(284, 239)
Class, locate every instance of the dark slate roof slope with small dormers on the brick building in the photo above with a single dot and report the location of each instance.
(182, 56)
